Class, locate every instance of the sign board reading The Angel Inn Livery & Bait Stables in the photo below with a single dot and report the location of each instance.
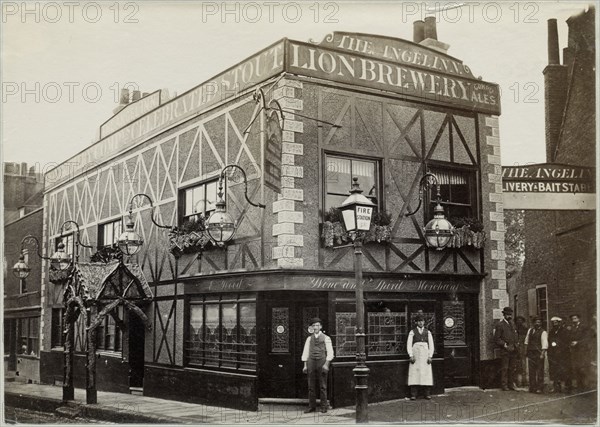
(549, 186)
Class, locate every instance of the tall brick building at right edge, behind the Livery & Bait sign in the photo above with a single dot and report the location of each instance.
(558, 277)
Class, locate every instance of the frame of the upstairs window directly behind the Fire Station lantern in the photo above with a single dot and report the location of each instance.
(377, 179)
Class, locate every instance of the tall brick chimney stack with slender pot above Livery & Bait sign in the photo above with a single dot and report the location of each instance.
(555, 91)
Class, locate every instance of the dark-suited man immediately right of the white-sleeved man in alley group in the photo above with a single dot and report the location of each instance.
(559, 358)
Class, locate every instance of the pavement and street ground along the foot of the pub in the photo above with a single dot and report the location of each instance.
(464, 405)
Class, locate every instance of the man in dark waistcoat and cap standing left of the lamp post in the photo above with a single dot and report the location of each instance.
(317, 355)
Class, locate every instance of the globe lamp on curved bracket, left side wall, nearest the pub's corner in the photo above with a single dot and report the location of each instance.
(220, 225)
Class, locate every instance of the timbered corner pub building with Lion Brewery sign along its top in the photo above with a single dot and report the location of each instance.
(229, 324)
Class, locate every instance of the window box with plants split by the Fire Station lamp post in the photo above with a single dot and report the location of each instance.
(334, 234)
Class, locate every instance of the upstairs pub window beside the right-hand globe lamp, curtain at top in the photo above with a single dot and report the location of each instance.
(458, 191)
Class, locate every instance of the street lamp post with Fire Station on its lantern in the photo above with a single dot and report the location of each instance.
(357, 212)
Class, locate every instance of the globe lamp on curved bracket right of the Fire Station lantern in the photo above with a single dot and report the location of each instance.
(438, 231)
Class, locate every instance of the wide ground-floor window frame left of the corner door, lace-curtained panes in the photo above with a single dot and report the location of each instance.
(239, 349)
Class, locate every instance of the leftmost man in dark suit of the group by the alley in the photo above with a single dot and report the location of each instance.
(507, 340)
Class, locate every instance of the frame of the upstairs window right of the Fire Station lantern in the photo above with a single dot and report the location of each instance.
(472, 173)
